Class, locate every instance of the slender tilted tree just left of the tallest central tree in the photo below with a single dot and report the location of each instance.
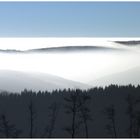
(53, 112)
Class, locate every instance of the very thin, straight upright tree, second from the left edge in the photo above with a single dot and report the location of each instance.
(32, 114)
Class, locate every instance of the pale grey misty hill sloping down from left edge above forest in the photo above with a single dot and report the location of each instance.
(16, 81)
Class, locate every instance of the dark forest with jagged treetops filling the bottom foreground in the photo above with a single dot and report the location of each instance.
(110, 112)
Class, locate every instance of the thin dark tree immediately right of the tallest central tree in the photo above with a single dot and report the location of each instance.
(85, 111)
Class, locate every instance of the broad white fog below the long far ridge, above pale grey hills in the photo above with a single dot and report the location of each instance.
(78, 66)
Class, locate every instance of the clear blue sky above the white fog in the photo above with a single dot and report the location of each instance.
(69, 19)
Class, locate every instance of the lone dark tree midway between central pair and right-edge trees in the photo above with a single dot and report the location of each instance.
(111, 113)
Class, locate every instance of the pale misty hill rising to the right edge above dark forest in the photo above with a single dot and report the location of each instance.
(131, 76)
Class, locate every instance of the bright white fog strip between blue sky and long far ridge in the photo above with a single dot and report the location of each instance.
(32, 43)
